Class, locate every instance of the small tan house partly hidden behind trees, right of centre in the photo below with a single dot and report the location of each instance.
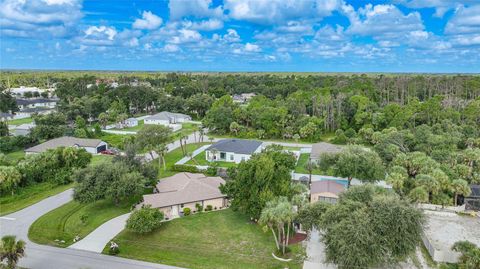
(326, 191)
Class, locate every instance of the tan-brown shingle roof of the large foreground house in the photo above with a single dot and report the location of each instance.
(184, 188)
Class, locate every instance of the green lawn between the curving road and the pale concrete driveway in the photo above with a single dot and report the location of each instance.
(65, 222)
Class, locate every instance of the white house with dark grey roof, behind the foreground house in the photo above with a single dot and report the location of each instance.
(232, 150)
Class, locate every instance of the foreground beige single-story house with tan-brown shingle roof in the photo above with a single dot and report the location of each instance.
(185, 190)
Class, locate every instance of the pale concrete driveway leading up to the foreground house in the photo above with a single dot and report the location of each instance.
(99, 238)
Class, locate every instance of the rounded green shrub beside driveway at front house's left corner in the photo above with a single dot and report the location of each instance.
(144, 220)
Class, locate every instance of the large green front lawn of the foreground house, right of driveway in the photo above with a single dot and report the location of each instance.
(221, 239)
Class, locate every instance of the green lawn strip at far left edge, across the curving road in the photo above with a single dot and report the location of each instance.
(28, 196)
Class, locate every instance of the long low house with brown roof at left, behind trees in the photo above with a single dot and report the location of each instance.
(93, 146)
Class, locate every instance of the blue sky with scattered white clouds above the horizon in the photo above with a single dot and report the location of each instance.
(242, 35)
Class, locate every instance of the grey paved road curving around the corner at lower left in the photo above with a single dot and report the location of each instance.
(46, 257)
